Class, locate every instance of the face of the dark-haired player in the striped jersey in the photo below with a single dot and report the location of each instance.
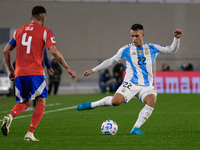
(137, 37)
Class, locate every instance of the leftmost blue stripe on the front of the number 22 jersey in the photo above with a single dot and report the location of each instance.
(127, 55)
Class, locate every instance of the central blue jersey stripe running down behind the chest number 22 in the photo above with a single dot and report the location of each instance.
(142, 64)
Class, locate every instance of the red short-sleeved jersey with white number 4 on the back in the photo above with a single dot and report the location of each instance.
(30, 42)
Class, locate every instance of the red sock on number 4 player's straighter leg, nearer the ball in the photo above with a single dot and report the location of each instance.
(36, 117)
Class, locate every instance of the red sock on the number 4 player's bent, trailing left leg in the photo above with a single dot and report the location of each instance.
(18, 109)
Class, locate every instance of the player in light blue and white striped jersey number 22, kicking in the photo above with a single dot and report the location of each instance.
(138, 80)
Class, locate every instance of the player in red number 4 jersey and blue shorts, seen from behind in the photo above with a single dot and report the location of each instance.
(30, 83)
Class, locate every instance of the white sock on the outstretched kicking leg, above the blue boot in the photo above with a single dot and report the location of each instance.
(106, 101)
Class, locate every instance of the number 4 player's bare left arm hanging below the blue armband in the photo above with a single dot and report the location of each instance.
(7, 55)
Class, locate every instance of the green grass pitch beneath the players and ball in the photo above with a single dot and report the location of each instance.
(174, 125)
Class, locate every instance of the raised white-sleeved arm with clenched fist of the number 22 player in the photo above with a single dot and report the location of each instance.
(173, 48)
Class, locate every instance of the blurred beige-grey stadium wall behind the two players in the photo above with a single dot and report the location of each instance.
(89, 31)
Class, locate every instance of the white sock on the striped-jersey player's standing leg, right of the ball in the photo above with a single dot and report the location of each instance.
(143, 115)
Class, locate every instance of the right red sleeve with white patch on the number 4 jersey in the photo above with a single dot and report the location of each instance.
(49, 38)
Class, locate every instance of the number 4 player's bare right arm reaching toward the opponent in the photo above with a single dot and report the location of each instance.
(59, 58)
